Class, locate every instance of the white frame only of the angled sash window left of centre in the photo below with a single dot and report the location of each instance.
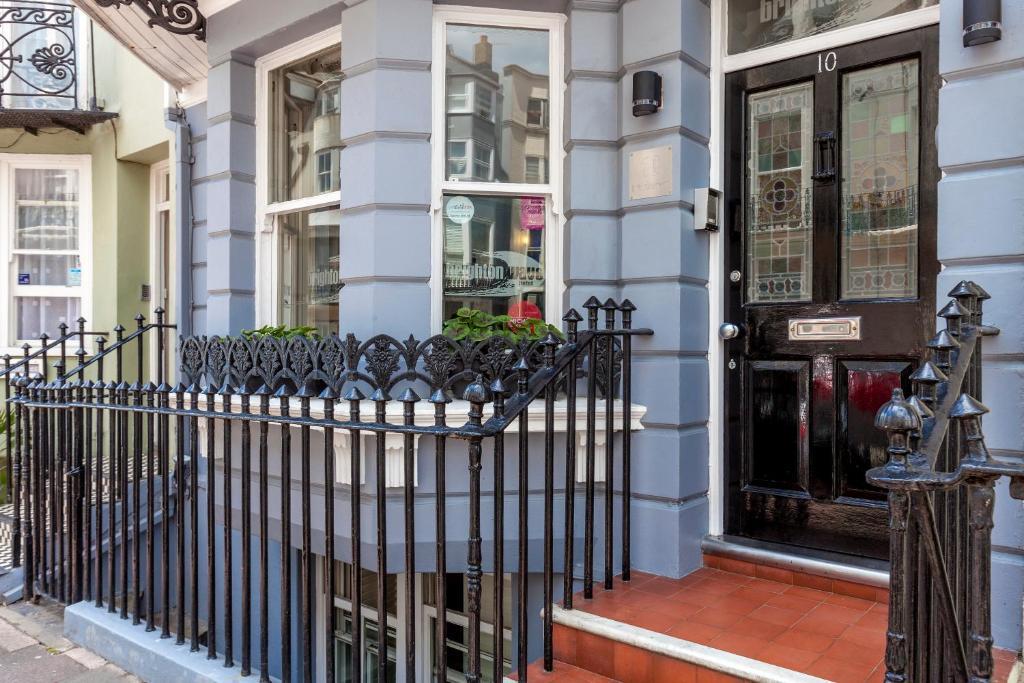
(268, 214)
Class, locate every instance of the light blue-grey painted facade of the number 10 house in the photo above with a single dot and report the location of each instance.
(613, 246)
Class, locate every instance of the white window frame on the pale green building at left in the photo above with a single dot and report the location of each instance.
(9, 164)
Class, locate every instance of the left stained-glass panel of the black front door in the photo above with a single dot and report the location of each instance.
(780, 194)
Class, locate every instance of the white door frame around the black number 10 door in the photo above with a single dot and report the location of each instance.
(721, 65)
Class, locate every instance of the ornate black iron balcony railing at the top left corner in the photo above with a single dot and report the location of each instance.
(38, 58)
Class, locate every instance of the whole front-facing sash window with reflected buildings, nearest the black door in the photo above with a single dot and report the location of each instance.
(498, 200)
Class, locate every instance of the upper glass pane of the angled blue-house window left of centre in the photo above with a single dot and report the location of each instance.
(305, 124)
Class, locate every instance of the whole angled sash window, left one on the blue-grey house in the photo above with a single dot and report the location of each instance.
(300, 185)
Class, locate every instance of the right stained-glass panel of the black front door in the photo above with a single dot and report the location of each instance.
(881, 111)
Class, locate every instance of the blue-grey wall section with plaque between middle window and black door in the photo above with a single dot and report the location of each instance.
(646, 250)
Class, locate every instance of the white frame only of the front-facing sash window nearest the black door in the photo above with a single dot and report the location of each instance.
(442, 185)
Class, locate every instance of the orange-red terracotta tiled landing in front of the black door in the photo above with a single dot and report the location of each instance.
(824, 633)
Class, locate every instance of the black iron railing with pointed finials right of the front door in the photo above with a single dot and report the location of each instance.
(941, 480)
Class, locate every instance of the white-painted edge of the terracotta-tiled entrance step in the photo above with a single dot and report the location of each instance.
(702, 656)
